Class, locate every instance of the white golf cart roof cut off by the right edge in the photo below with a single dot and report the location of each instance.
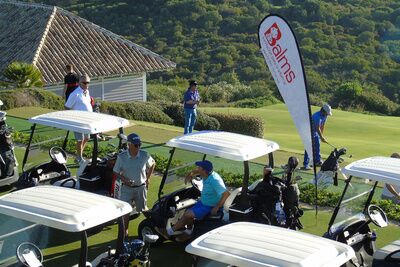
(381, 169)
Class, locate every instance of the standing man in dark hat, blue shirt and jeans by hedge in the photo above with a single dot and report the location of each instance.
(191, 99)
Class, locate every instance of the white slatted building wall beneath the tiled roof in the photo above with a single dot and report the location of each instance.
(121, 89)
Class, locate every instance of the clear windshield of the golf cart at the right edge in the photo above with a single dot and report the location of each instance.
(354, 202)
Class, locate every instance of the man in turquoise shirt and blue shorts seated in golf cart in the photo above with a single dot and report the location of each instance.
(212, 198)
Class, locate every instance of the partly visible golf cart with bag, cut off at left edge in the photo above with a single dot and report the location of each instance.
(8, 161)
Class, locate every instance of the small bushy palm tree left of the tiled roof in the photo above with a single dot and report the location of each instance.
(22, 75)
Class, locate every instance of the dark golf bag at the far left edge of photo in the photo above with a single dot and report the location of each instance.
(7, 159)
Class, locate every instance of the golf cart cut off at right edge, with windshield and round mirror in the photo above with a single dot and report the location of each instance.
(354, 212)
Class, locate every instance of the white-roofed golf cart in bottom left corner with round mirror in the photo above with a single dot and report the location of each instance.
(63, 209)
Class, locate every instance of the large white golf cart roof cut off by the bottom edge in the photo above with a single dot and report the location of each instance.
(247, 244)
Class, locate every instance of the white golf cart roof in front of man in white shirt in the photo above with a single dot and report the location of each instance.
(81, 121)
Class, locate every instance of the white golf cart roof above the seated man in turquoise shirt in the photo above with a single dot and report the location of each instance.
(226, 145)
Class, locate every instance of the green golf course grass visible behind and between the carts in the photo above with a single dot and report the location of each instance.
(362, 140)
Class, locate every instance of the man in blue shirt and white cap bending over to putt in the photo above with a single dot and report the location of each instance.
(318, 123)
